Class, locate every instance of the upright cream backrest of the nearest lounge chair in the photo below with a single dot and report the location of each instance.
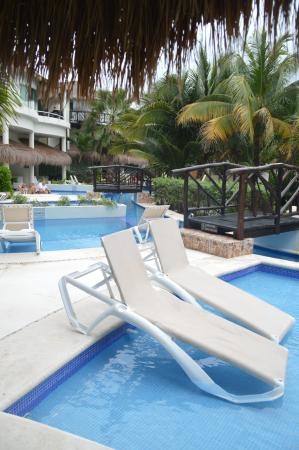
(127, 267)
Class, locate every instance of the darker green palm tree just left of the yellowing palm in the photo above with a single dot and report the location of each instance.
(152, 132)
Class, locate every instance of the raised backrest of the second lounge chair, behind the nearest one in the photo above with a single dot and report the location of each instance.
(169, 244)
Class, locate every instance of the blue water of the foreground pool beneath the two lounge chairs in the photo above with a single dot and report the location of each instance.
(132, 396)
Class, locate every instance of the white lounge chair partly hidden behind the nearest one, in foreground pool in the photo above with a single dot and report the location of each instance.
(234, 303)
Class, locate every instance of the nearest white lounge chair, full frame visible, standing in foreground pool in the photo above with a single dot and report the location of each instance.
(163, 317)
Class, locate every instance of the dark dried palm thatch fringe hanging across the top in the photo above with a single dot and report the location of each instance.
(83, 39)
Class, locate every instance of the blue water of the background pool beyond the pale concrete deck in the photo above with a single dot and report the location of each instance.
(64, 234)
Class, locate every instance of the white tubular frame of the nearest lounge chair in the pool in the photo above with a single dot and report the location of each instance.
(117, 308)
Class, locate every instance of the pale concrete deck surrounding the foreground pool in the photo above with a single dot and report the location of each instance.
(35, 337)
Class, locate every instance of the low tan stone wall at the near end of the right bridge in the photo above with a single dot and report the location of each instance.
(217, 245)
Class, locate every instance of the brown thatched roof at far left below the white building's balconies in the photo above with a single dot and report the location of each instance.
(22, 155)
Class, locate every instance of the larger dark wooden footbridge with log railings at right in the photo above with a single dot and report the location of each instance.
(246, 198)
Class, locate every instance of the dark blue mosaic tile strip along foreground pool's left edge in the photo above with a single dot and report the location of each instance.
(39, 392)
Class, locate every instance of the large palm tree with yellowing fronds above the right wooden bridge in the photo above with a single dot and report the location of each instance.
(255, 106)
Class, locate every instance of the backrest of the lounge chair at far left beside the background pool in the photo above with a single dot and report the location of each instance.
(17, 217)
